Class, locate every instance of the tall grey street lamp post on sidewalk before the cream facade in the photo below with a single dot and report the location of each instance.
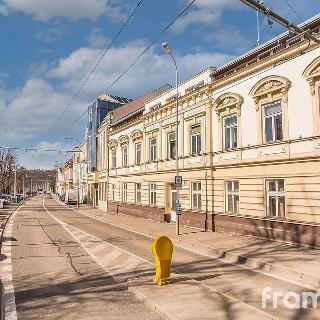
(167, 49)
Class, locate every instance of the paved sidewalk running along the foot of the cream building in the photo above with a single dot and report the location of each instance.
(299, 265)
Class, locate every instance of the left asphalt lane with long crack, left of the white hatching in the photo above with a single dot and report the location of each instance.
(55, 278)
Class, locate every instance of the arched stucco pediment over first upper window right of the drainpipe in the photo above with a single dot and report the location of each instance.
(228, 103)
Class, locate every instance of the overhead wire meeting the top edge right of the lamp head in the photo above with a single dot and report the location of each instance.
(138, 57)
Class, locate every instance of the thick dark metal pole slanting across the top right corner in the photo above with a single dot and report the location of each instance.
(258, 6)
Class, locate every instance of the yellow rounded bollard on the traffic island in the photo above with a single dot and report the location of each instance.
(162, 249)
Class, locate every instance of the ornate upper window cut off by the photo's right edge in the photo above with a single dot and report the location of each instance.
(312, 74)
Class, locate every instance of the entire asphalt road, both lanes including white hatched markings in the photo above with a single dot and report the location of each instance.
(55, 277)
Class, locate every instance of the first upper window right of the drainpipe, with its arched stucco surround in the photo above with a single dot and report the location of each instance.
(228, 109)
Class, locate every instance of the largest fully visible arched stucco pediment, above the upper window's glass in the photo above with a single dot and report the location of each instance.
(269, 87)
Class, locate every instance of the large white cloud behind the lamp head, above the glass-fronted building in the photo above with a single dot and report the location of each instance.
(152, 70)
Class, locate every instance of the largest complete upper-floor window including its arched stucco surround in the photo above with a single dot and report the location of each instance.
(270, 95)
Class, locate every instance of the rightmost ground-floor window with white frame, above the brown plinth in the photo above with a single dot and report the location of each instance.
(275, 198)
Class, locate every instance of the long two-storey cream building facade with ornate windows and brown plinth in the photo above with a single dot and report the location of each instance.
(249, 146)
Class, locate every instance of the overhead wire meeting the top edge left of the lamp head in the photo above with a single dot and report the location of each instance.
(96, 65)
